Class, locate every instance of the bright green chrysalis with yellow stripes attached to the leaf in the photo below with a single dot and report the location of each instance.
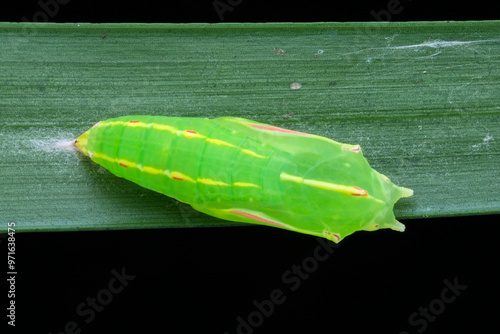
(250, 172)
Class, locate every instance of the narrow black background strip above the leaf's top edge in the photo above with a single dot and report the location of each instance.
(247, 11)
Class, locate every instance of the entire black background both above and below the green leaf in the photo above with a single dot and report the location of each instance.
(201, 280)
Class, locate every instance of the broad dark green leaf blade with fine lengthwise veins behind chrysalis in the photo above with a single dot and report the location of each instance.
(421, 98)
